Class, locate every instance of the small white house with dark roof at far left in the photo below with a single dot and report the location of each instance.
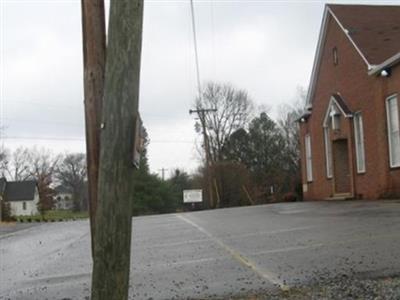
(23, 197)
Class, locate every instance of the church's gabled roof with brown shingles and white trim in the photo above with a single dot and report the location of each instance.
(373, 30)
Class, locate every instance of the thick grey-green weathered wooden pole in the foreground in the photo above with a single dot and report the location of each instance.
(111, 264)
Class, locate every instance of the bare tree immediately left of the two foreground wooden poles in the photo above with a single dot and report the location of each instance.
(72, 173)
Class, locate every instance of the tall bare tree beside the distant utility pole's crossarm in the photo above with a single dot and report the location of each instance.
(234, 108)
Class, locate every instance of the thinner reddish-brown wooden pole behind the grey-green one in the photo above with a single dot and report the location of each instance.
(94, 51)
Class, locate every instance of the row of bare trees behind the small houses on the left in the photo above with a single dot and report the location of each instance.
(48, 170)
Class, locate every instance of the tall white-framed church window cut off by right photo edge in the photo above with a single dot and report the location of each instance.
(392, 112)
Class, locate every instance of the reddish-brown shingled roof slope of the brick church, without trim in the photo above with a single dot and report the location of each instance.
(375, 29)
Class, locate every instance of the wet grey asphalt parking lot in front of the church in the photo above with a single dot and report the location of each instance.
(215, 254)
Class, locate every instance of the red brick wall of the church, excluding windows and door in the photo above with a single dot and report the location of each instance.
(361, 92)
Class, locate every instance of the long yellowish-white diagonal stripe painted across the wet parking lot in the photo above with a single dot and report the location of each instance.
(271, 277)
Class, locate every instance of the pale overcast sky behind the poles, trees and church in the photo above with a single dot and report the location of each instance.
(265, 47)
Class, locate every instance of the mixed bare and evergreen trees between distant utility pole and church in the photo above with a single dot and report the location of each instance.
(254, 159)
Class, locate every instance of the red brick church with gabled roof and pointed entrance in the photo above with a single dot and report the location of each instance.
(350, 134)
